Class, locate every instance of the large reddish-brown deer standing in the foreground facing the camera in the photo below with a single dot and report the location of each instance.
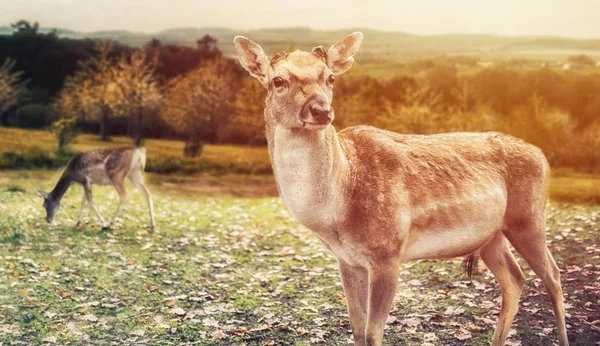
(376, 198)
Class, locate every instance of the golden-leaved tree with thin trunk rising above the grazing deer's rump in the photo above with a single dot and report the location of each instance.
(134, 76)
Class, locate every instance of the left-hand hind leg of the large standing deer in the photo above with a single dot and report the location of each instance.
(499, 259)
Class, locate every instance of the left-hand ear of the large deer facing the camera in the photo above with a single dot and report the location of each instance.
(253, 59)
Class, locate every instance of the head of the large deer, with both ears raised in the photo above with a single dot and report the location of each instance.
(299, 84)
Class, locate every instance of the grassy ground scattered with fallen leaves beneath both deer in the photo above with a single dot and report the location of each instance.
(227, 270)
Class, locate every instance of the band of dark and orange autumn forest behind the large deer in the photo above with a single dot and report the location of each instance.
(197, 95)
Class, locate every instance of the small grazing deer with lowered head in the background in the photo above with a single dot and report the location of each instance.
(102, 167)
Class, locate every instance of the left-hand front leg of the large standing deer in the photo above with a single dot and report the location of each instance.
(356, 285)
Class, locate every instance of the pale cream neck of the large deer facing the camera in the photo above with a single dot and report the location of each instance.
(311, 172)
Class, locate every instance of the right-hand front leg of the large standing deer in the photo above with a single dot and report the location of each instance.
(383, 279)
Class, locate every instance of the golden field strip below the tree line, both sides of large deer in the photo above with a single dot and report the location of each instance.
(236, 162)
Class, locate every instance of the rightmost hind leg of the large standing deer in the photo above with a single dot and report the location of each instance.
(529, 239)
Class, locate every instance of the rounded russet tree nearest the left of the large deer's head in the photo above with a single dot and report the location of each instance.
(200, 103)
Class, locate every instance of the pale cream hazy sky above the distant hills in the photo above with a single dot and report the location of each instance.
(570, 18)
